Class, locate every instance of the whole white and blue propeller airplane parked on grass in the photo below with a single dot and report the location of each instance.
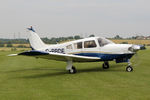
(93, 49)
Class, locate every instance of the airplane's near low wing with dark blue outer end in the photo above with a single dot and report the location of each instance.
(58, 56)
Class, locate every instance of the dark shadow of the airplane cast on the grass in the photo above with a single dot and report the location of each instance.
(63, 72)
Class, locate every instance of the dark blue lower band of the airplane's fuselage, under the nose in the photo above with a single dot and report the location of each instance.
(107, 57)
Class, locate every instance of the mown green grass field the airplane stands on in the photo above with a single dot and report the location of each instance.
(27, 78)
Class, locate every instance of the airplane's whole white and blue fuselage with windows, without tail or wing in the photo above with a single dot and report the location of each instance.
(93, 47)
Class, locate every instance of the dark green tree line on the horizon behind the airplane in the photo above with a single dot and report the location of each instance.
(53, 40)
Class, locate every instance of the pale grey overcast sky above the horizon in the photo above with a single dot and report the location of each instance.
(57, 18)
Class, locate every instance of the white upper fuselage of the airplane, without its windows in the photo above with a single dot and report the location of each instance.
(70, 47)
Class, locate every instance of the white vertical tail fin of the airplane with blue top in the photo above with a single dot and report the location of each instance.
(35, 41)
